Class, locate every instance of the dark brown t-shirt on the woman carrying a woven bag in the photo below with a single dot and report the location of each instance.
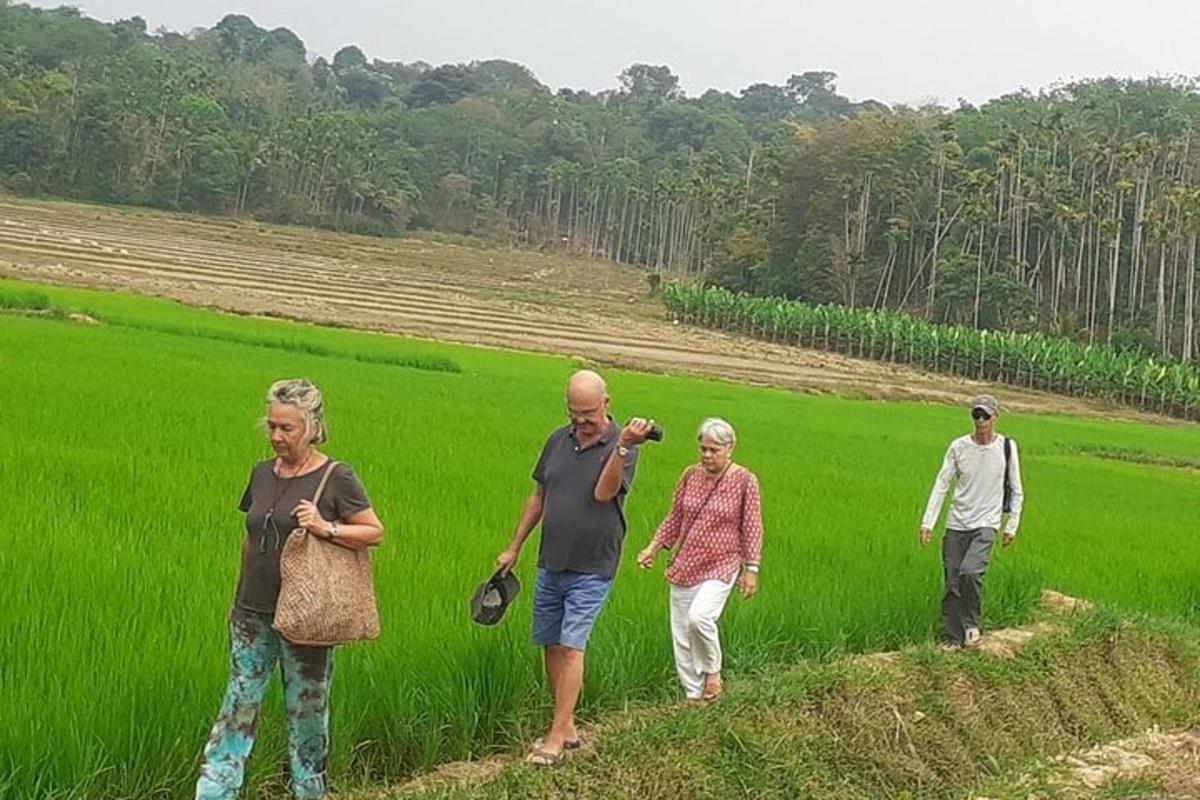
(268, 503)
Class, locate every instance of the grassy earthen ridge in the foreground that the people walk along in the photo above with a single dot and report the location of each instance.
(911, 724)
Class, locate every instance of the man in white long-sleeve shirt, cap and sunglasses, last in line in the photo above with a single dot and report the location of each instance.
(982, 465)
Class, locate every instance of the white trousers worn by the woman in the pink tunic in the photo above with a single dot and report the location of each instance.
(698, 645)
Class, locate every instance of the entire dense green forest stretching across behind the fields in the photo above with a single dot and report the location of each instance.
(1075, 212)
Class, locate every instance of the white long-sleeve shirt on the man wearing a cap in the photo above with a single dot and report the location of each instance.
(979, 472)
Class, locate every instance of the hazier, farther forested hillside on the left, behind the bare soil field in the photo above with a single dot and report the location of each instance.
(236, 119)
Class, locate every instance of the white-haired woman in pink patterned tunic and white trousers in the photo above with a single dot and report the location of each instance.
(716, 525)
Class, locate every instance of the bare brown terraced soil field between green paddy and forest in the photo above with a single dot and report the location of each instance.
(429, 288)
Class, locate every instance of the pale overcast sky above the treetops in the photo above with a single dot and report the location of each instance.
(895, 51)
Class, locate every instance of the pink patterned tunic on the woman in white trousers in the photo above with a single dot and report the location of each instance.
(723, 536)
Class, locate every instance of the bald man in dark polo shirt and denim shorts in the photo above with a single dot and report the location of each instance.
(581, 480)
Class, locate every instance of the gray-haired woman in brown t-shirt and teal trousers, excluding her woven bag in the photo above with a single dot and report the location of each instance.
(278, 501)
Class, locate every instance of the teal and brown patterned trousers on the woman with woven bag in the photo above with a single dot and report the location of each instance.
(255, 651)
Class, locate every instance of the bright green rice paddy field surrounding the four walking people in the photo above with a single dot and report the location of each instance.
(125, 446)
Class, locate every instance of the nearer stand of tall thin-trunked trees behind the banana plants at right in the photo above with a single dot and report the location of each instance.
(1075, 212)
